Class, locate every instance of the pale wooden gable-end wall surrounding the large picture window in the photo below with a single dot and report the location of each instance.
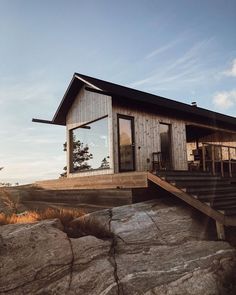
(89, 106)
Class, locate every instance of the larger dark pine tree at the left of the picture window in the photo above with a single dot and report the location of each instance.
(80, 156)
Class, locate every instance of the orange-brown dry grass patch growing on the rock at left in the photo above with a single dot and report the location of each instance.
(75, 225)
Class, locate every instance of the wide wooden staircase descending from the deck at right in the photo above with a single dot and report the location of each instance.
(213, 195)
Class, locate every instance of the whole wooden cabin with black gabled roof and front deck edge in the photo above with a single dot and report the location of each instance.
(126, 135)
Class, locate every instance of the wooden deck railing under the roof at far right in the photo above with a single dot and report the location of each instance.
(219, 159)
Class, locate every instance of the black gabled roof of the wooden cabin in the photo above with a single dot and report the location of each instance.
(145, 100)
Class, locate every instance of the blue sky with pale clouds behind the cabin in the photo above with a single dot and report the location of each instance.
(183, 50)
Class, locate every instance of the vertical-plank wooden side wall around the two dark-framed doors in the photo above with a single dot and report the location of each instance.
(147, 138)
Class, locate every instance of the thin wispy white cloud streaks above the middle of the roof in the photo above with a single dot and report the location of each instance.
(190, 67)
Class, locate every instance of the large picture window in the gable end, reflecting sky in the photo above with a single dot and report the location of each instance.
(90, 146)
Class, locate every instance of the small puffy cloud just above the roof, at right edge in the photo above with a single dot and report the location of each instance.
(225, 99)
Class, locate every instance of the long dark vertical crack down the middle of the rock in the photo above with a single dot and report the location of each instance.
(112, 254)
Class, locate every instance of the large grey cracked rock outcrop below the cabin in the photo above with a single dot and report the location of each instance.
(158, 248)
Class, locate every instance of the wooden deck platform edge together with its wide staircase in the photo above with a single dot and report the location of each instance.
(212, 195)
